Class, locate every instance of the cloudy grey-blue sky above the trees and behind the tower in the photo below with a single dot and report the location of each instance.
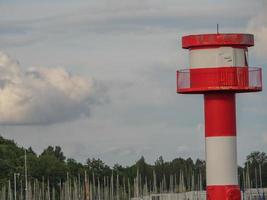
(98, 77)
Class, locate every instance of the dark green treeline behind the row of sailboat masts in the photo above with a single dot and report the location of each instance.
(52, 165)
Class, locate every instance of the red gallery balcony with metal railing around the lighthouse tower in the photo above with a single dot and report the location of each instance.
(233, 78)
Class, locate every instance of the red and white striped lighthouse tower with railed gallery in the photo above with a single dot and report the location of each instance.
(219, 69)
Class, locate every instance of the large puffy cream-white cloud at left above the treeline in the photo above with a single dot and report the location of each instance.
(42, 95)
